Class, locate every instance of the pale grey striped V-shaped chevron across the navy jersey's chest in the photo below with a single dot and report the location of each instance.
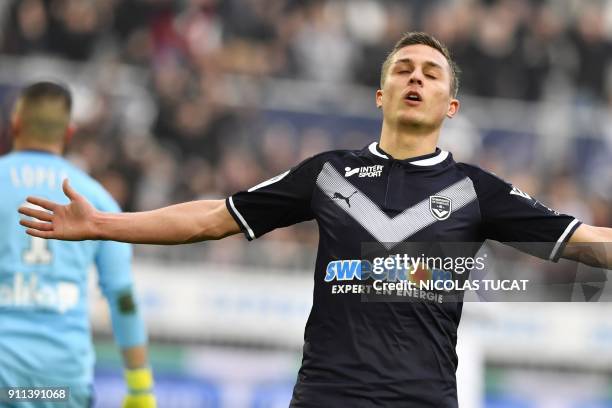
(389, 231)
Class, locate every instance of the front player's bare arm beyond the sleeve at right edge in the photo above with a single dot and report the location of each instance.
(590, 245)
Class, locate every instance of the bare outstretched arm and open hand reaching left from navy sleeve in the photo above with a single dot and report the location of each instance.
(176, 224)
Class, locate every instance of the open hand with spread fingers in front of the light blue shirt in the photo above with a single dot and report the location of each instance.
(72, 222)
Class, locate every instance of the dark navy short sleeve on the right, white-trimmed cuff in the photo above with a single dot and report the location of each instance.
(512, 216)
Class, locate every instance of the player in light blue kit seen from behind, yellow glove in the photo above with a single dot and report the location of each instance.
(44, 329)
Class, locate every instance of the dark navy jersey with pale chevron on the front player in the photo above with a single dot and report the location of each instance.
(388, 354)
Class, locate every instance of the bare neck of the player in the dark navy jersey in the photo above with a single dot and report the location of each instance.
(402, 144)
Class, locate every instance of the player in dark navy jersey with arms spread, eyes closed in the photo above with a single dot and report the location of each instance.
(399, 189)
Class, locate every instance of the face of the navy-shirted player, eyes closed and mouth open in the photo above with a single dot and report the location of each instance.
(417, 90)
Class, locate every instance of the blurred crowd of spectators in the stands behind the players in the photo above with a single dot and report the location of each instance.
(208, 138)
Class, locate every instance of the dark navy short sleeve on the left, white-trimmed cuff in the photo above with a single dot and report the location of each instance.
(278, 202)
